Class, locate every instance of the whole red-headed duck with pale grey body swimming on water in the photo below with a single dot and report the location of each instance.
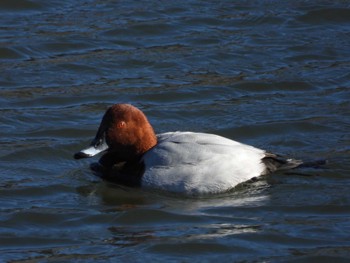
(180, 162)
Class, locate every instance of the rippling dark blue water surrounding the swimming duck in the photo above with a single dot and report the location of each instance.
(273, 74)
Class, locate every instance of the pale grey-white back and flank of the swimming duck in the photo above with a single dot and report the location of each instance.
(200, 163)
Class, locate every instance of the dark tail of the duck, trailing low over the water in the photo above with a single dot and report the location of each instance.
(275, 162)
